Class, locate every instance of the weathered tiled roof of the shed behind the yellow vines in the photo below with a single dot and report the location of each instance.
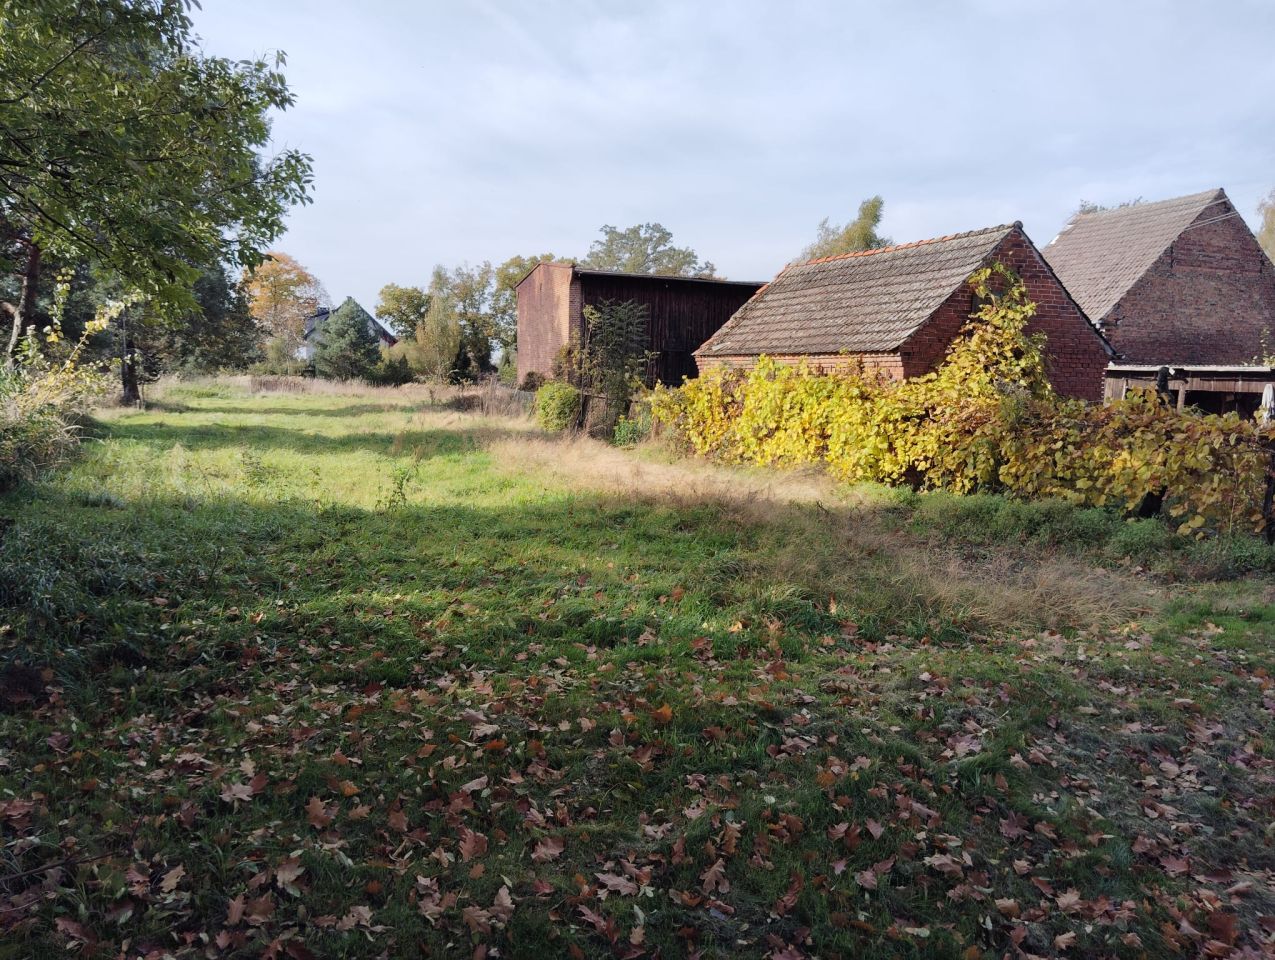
(864, 303)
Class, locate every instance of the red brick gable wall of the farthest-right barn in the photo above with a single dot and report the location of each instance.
(1207, 300)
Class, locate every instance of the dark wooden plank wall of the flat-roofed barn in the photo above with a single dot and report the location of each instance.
(684, 314)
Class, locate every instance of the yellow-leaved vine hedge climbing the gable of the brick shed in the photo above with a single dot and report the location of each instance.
(986, 420)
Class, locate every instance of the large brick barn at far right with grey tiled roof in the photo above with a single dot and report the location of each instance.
(1179, 281)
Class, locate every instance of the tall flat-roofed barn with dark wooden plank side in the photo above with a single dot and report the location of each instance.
(684, 313)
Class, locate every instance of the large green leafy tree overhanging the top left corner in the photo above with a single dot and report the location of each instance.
(126, 146)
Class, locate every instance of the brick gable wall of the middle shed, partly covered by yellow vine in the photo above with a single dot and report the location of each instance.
(1075, 356)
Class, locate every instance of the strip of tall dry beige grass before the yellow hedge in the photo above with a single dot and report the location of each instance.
(836, 541)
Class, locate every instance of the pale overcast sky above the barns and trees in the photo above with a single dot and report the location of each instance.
(467, 132)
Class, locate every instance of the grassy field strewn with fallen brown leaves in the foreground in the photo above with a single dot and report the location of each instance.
(355, 674)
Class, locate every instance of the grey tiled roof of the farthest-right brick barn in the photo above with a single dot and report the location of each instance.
(1100, 256)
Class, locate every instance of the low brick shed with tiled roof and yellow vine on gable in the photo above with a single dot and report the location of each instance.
(898, 309)
